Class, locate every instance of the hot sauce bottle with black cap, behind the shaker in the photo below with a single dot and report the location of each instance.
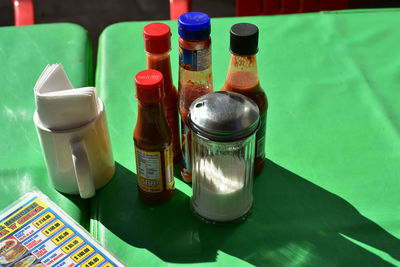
(242, 78)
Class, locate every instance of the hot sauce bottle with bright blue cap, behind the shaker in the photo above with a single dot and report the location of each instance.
(195, 77)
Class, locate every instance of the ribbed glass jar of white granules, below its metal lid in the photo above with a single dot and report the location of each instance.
(222, 178)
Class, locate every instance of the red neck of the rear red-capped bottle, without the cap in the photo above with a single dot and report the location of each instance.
(162, 63)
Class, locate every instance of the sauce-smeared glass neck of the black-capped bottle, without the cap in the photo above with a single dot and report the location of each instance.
(242, 72)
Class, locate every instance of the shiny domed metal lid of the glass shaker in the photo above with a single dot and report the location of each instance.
(224, 116)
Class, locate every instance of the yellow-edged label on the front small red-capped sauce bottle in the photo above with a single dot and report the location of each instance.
(149, 169)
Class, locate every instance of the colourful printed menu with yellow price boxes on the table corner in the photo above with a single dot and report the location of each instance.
(35, 232)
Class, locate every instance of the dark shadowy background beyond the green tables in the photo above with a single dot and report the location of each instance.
(95, 15)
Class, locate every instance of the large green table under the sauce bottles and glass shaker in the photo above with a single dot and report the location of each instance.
(329, 193)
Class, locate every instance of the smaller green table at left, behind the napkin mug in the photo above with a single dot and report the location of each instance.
(24, 53)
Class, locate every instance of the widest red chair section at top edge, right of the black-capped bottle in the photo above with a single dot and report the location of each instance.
(269, 7)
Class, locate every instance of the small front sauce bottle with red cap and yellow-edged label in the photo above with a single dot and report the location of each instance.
(153, 140)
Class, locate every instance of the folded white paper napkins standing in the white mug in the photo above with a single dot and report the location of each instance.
(59, 105)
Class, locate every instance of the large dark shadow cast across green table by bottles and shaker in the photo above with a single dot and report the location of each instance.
(294, 222)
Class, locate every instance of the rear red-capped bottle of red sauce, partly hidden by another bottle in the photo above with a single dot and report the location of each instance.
(157, 44)
